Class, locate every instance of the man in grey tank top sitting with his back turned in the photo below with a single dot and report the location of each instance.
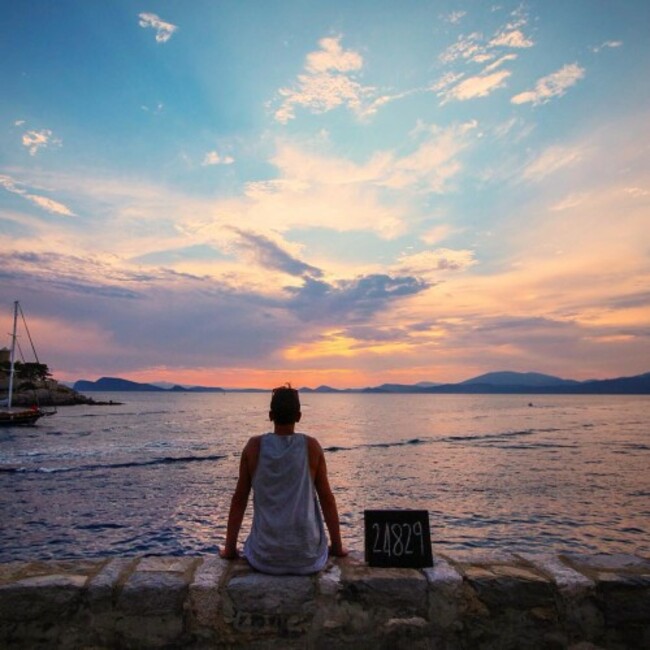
(286, 471)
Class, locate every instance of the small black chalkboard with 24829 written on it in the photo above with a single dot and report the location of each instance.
(398, 538)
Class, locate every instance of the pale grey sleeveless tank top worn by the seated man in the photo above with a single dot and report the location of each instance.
(287, 534)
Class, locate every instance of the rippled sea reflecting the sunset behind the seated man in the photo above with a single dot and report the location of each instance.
(156, 474)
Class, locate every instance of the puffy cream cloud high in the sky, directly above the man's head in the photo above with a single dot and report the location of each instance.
(326, 82)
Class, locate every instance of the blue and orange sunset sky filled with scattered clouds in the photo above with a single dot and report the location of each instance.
(243, 193)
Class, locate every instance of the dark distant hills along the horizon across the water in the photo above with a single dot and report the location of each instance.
(504, 382)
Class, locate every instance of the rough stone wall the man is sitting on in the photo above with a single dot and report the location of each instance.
(467, 600)
